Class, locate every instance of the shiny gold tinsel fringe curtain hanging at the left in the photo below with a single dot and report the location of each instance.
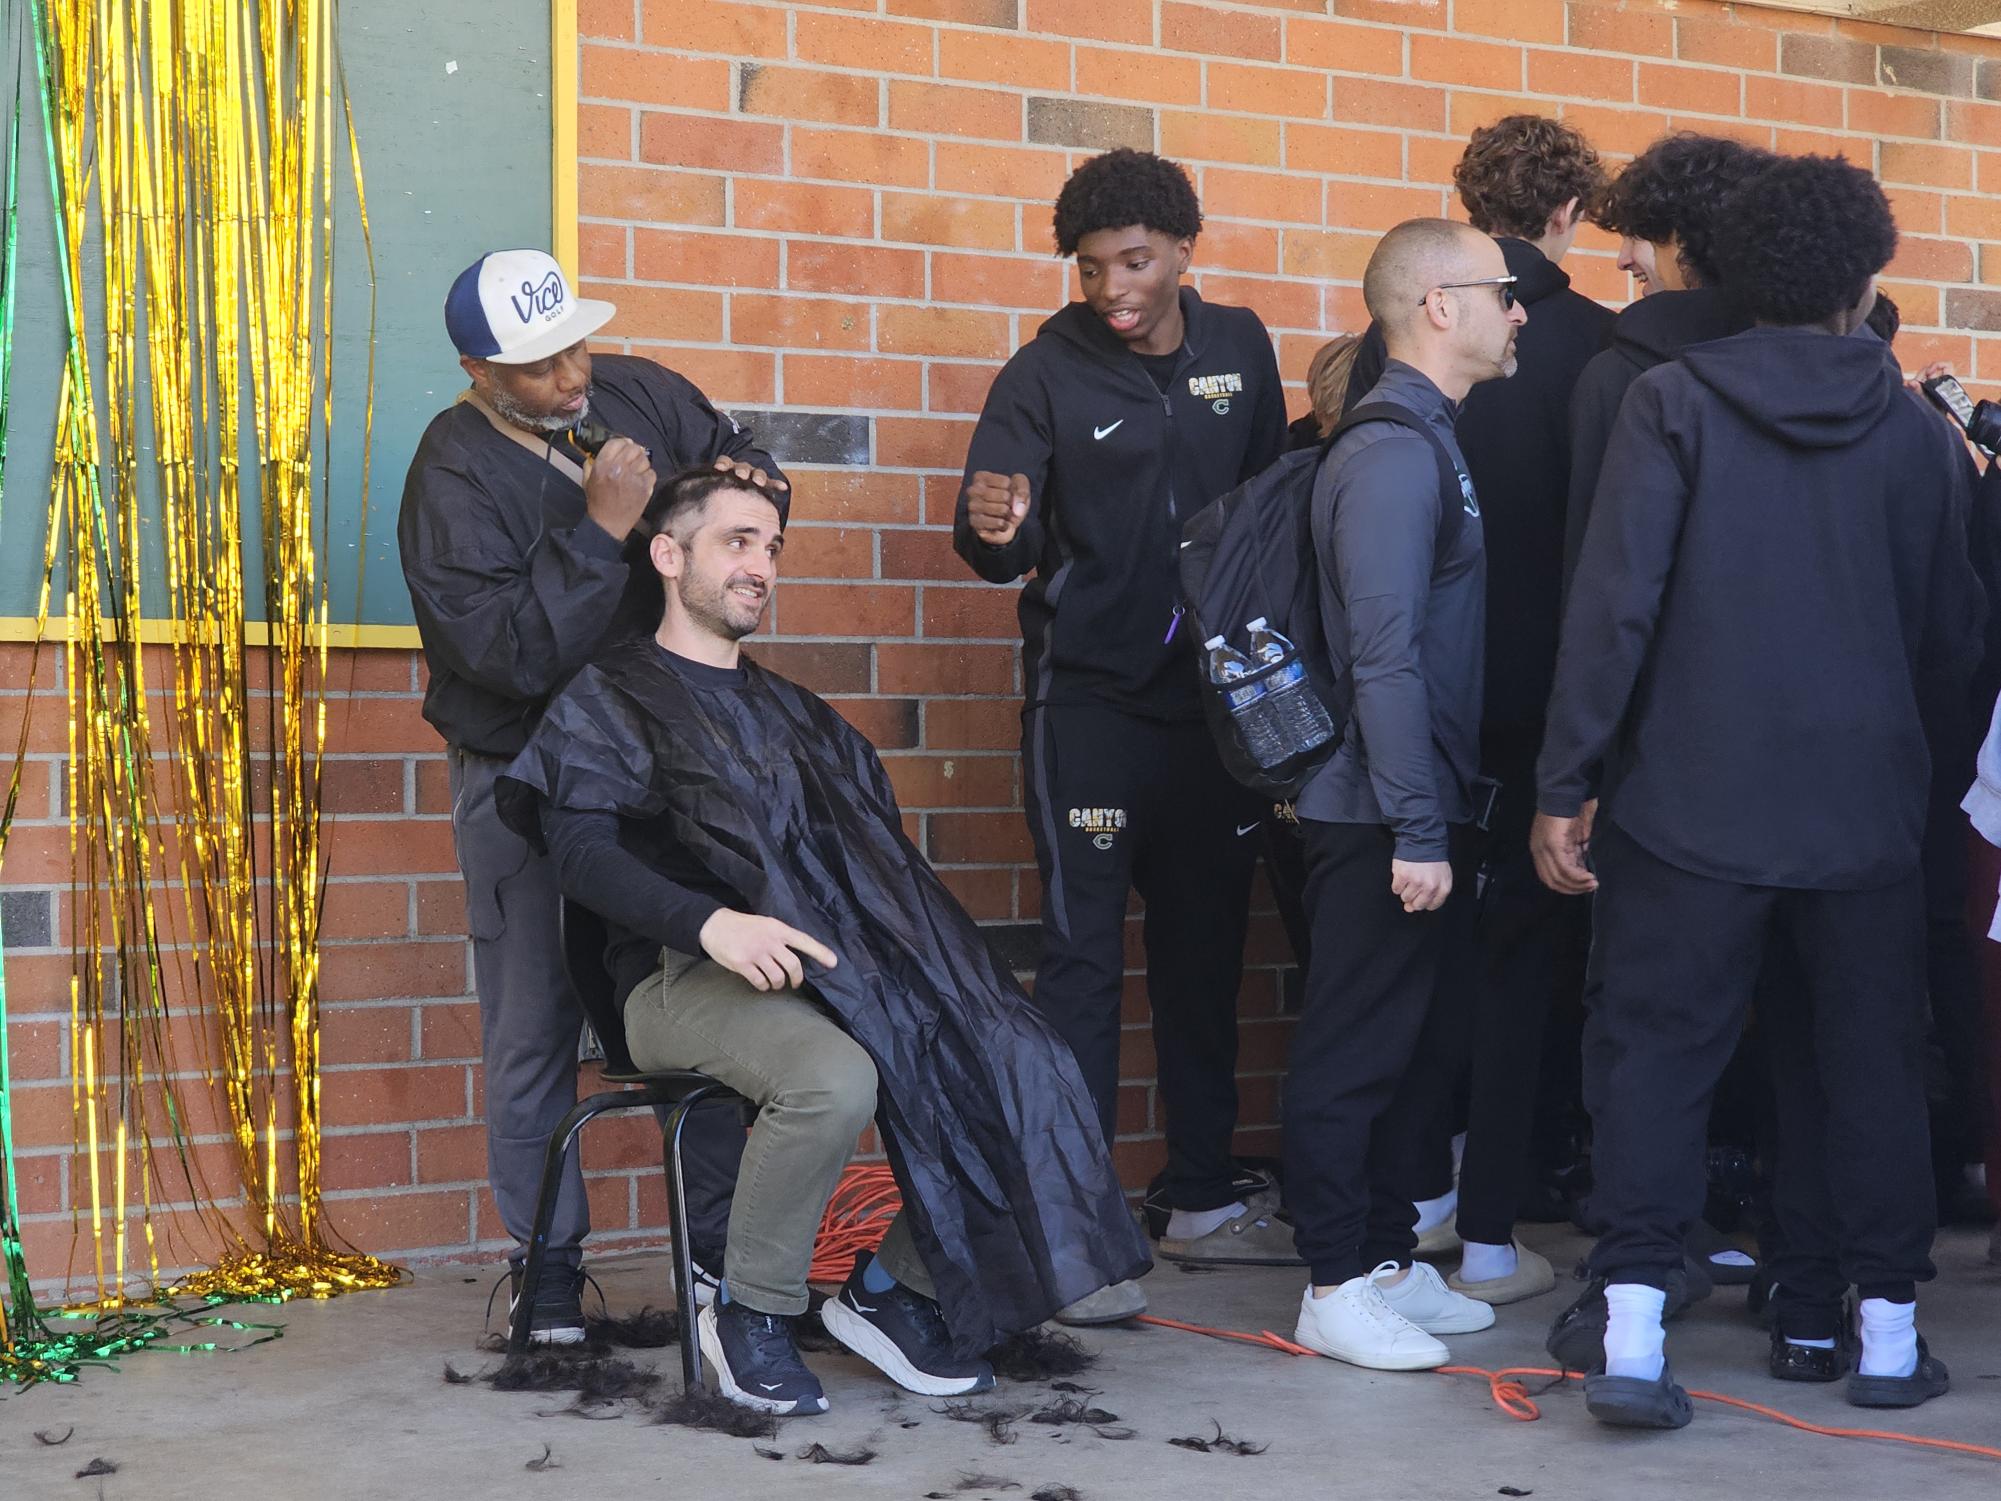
(193, 173)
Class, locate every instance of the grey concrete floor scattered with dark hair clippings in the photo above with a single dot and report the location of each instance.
(351, 1404)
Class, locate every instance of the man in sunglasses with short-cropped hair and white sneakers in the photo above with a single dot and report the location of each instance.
(1404, 585)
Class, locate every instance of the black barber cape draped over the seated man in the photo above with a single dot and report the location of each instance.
(985, 1116)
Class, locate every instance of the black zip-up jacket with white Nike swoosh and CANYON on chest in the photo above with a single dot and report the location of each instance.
(1114, 471)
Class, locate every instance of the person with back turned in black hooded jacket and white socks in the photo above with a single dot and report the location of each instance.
(1772, 599)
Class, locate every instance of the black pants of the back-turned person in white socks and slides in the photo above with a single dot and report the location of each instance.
(1676, 960)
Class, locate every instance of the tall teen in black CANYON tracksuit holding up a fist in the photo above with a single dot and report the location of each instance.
(1124, 417)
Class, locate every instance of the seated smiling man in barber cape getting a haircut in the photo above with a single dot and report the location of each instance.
(773, 928)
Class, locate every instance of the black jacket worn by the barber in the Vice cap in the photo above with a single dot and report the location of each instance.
(513, 585)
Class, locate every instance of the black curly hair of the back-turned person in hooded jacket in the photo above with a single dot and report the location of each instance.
(1800, 241)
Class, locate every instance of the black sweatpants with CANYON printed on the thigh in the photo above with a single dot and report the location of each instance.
(1116, 806)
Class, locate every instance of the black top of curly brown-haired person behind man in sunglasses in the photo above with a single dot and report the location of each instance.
(1518, 441)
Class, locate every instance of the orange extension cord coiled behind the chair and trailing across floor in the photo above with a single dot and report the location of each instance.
(867, 1200)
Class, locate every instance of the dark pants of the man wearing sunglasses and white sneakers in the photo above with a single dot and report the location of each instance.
(1378, 1050)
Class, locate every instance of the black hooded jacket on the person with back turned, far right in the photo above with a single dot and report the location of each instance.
(1770, 597)
